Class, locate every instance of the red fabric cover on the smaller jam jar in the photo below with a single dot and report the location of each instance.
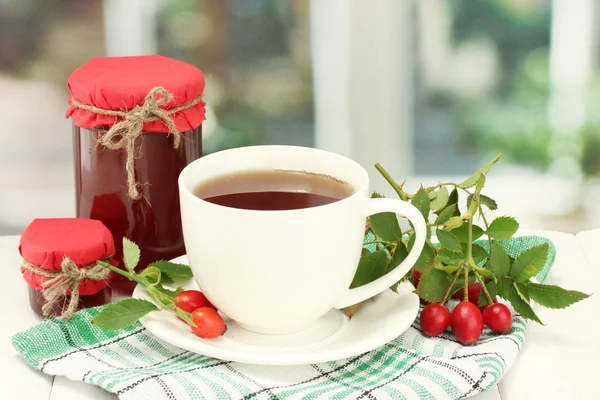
(46, 242)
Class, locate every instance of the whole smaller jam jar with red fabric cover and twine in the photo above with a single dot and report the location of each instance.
(60, 265)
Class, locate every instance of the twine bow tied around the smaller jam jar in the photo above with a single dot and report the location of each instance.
(57, 287)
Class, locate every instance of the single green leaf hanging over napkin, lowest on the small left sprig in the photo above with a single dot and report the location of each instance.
(123, 313)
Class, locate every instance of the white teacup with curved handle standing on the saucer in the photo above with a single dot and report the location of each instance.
(277, 272)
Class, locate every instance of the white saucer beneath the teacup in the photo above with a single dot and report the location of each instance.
(332, 337)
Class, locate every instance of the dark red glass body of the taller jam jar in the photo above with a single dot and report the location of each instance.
(153, 220)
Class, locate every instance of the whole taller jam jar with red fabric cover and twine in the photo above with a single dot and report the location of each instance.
(136, 125)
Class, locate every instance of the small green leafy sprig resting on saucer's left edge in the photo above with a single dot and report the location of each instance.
(125, 312)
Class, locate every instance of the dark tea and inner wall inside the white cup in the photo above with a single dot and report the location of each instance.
(273, 190)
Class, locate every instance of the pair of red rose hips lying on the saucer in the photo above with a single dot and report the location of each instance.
(208, 321)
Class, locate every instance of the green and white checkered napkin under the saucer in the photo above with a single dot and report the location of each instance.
(133, 364)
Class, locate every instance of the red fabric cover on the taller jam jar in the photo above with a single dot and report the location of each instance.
(121, 83)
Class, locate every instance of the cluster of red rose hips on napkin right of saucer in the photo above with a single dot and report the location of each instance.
(466, 320)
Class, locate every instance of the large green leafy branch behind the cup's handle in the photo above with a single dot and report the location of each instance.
(456, 260)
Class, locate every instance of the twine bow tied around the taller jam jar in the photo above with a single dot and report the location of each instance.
(124, 133)
